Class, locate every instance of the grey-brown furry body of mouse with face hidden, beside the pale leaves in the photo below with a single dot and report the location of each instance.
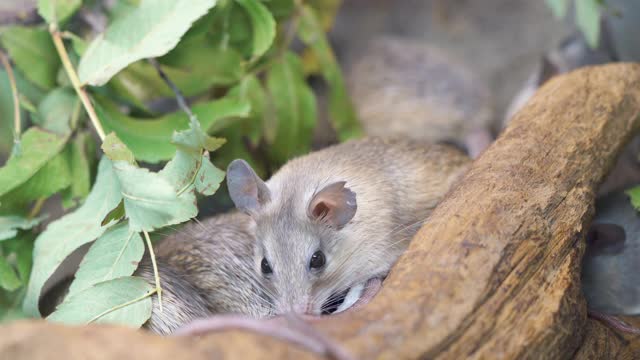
(206, 269)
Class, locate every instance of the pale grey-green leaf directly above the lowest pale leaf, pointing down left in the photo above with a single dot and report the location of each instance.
(115, 254)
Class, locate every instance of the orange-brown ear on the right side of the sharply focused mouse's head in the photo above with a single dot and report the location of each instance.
(334, 205)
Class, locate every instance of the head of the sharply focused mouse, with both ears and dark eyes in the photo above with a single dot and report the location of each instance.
(299, 237)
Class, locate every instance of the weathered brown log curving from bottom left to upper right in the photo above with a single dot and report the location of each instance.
(493, 273)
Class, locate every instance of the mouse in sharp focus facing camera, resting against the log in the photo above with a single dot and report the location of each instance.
(329, 222)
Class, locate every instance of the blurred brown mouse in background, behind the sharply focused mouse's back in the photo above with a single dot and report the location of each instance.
(406, 88)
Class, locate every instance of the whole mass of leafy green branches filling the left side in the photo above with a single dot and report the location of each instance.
(231, 59)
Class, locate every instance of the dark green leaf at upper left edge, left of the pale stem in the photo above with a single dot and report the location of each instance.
(33, 53)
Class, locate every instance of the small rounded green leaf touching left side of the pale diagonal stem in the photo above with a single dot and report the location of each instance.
(56, 110)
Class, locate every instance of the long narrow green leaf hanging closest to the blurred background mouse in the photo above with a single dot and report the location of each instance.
(341, 111)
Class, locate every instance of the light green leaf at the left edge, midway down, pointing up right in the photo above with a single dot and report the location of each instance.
(38, 148)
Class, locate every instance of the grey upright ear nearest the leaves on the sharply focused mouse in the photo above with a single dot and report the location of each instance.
(246, 189)
